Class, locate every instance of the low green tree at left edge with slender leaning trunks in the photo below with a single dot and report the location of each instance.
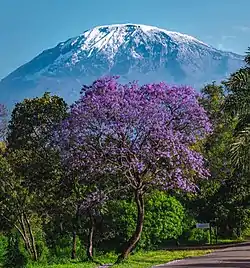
(16, 206)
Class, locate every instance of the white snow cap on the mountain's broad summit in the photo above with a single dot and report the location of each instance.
(111, 37)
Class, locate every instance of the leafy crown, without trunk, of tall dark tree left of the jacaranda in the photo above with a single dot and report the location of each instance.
(30, 128)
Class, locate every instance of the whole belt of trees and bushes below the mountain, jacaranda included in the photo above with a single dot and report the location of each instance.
(126, 167)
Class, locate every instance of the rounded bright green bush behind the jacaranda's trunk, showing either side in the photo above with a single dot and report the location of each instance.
(164, 217)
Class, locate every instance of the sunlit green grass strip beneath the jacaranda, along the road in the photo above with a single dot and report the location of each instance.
(138, 260)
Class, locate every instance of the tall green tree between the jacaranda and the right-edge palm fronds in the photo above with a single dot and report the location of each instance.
(217, 197)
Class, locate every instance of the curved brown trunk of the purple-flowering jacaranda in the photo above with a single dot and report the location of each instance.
(139, 225)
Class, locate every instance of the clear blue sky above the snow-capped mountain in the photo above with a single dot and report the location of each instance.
(27, 27)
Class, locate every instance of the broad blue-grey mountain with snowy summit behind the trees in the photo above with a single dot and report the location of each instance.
(135, 52)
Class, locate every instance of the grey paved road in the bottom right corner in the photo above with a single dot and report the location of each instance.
(234, 257)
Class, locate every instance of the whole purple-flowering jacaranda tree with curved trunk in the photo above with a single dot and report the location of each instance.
(141, 136)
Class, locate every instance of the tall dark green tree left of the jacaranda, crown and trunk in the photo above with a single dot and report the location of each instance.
(30, 157)
